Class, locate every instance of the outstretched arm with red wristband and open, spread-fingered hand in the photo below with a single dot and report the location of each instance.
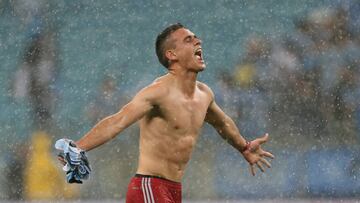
(226, 127)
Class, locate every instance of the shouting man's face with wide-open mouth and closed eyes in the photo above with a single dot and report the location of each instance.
(188, 50)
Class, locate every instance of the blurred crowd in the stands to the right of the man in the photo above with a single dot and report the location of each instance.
(303, 87)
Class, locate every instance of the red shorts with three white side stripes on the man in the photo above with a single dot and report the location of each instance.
(152, 189)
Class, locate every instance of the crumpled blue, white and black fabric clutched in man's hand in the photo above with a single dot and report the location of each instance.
(77, 164)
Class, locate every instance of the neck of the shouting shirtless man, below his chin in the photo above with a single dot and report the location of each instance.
(185, 80)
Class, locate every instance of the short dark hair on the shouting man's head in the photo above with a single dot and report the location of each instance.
(160, 42)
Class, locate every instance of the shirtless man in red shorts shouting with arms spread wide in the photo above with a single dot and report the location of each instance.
(171, 112)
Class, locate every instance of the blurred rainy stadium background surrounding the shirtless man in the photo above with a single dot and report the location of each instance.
(290, 68)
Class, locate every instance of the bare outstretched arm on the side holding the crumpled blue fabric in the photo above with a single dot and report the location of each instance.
(112, 125)
